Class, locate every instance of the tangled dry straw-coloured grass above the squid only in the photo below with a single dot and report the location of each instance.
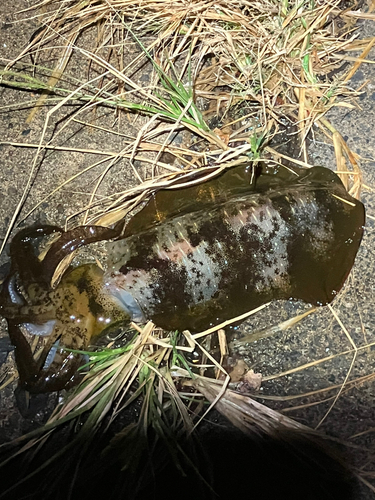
(286, 78)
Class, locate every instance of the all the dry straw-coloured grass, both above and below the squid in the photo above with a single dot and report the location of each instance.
(252, 67)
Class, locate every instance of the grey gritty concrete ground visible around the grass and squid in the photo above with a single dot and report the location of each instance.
(316, 337)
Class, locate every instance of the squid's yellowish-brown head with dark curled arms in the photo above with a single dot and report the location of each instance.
(73, 315)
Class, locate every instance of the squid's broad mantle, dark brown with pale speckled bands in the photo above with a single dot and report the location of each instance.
(203, 267)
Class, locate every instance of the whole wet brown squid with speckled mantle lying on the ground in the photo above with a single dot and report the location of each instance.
(190, 259)
